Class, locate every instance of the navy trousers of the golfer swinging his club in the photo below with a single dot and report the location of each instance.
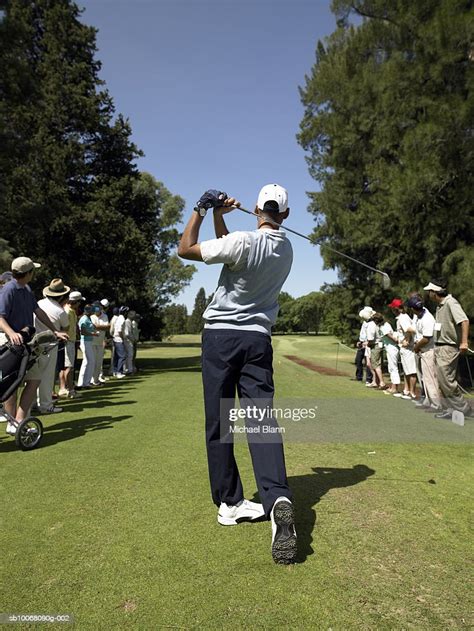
(240, 361)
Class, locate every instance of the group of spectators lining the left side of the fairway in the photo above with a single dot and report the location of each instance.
(76, 323)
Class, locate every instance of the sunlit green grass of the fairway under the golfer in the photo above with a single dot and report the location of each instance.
(111, 519)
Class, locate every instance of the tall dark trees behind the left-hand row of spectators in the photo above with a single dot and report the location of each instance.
(71, 195)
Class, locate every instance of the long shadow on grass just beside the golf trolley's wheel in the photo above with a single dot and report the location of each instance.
(68, 430)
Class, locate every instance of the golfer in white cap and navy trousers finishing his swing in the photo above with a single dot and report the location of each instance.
(237, 354)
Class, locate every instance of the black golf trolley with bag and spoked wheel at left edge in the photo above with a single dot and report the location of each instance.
(15, 361)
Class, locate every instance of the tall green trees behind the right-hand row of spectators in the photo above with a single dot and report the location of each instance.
(388, 128)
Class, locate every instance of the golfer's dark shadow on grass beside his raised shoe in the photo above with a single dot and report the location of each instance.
(308, 491)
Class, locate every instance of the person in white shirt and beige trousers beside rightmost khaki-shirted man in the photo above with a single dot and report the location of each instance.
(423, 327)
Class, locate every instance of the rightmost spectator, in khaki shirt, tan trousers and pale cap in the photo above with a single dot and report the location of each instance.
(452, 334)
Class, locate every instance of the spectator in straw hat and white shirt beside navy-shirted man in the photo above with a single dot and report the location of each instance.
(55, 298)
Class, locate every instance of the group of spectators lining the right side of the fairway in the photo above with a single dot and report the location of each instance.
(427, 346)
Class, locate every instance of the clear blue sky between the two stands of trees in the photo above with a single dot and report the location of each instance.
(211, 91)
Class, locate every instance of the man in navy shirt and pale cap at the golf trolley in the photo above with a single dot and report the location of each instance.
(17, 306)
